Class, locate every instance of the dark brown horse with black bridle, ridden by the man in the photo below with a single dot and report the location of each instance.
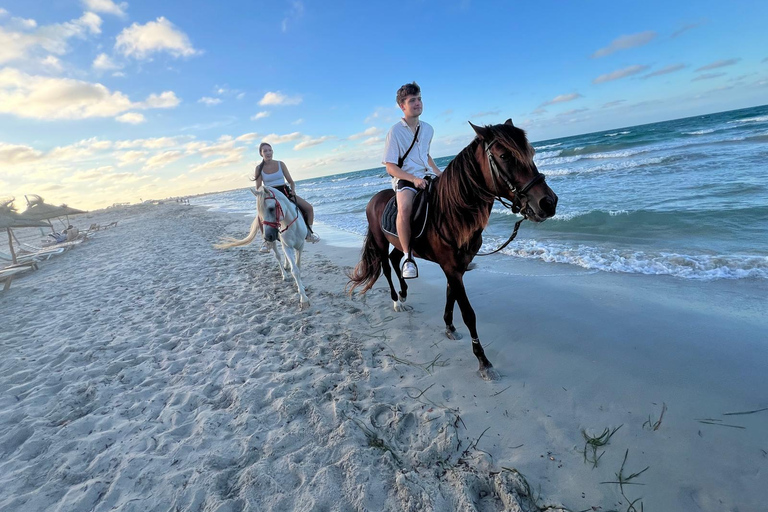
(498, 164)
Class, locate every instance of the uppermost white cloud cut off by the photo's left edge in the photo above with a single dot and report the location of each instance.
(17, 44)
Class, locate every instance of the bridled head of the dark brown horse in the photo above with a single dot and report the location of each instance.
(511, 173)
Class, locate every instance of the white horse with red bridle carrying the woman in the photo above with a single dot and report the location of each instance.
(282, 220)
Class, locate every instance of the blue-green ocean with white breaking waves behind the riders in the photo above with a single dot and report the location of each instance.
(686, 198)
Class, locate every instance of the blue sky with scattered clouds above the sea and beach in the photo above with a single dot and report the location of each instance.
(105, 102)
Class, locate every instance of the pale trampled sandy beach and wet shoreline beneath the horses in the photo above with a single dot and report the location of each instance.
(149, 371)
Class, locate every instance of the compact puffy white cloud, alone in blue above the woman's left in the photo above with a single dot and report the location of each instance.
(141, 41)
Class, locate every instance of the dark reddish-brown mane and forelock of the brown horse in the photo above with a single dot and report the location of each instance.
(463, 198)
